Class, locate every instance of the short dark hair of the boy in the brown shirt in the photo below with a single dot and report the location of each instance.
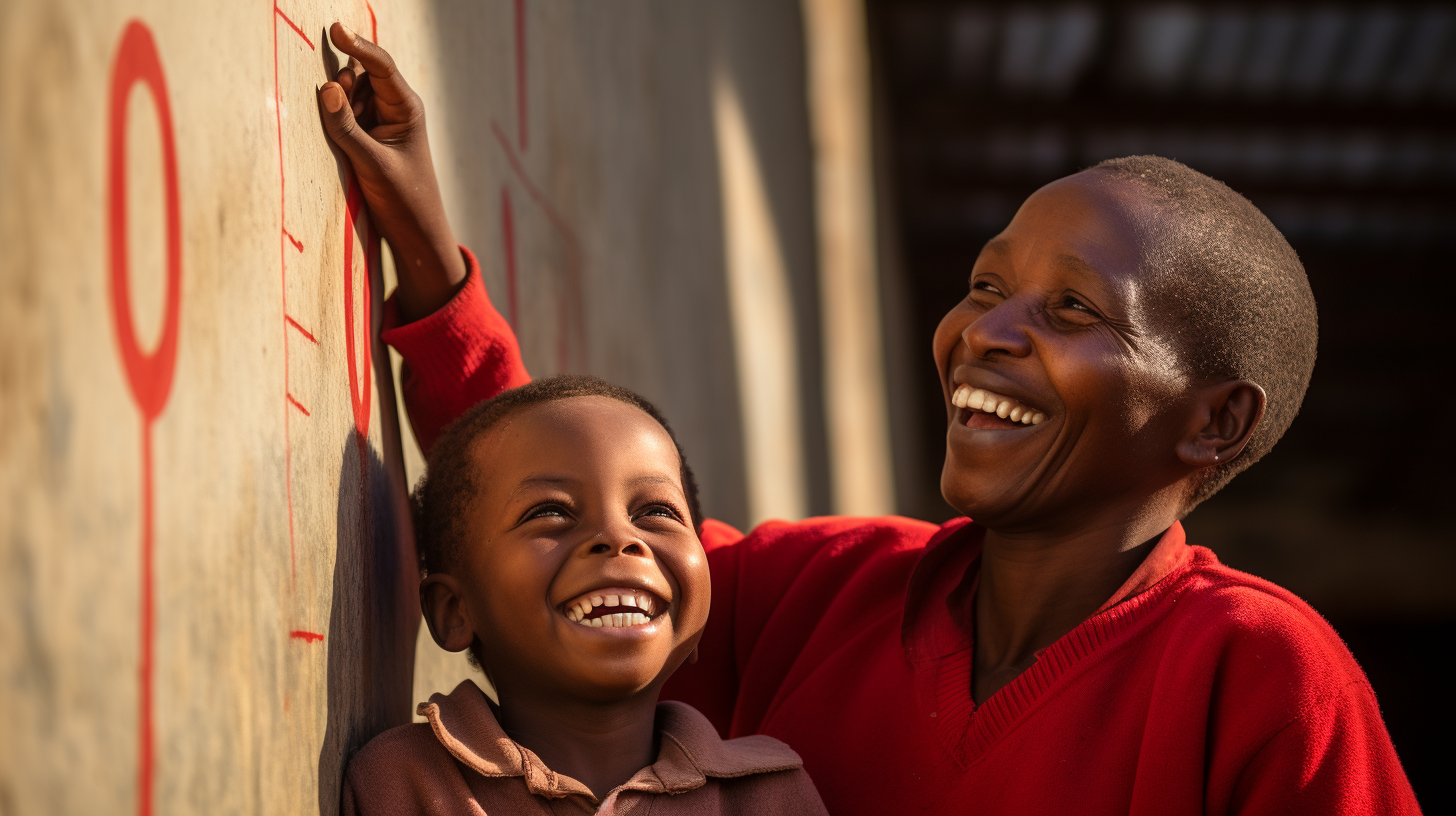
(443, 496)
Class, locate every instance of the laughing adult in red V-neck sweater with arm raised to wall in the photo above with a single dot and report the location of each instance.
(1136, 337)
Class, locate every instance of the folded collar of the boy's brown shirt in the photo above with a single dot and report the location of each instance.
(689, 754)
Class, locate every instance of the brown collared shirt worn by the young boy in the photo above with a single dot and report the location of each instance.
(462, 763)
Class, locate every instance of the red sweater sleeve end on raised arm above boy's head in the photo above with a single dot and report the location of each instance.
(455, 358)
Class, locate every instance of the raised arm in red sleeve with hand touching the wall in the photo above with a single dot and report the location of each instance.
(458, 349)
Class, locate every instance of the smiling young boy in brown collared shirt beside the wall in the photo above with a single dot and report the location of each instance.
(557, 531)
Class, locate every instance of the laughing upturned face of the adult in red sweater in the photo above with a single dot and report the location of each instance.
(1064, 391)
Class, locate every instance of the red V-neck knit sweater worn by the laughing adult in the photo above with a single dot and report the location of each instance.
(1195, 690)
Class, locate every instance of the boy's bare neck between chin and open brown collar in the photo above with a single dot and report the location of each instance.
(599, 745)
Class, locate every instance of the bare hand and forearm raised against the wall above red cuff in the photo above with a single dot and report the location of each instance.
(379, 123)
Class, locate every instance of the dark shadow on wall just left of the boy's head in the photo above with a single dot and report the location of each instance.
(371, 662)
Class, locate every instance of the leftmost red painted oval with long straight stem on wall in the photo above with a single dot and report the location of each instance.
(148, 375)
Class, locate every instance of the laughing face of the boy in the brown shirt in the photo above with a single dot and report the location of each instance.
(582, 512)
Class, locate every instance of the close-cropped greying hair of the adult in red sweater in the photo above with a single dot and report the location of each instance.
(1233, 294)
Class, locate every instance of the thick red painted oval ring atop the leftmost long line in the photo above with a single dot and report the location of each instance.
(149, 375)
